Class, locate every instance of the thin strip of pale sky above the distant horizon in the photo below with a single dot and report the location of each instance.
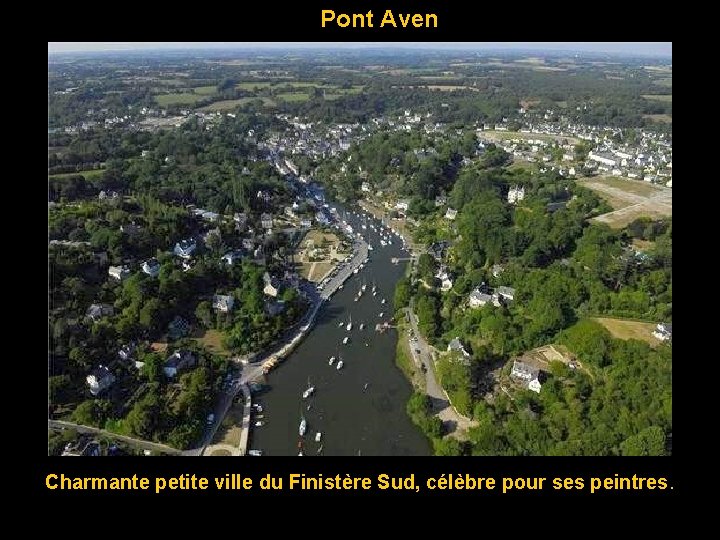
(655, 48)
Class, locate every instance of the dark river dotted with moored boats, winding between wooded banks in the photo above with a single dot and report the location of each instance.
(354, 419)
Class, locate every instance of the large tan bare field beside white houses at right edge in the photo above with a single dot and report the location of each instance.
(631, 199)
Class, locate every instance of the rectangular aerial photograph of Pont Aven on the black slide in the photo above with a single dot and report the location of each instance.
(360, 249)
